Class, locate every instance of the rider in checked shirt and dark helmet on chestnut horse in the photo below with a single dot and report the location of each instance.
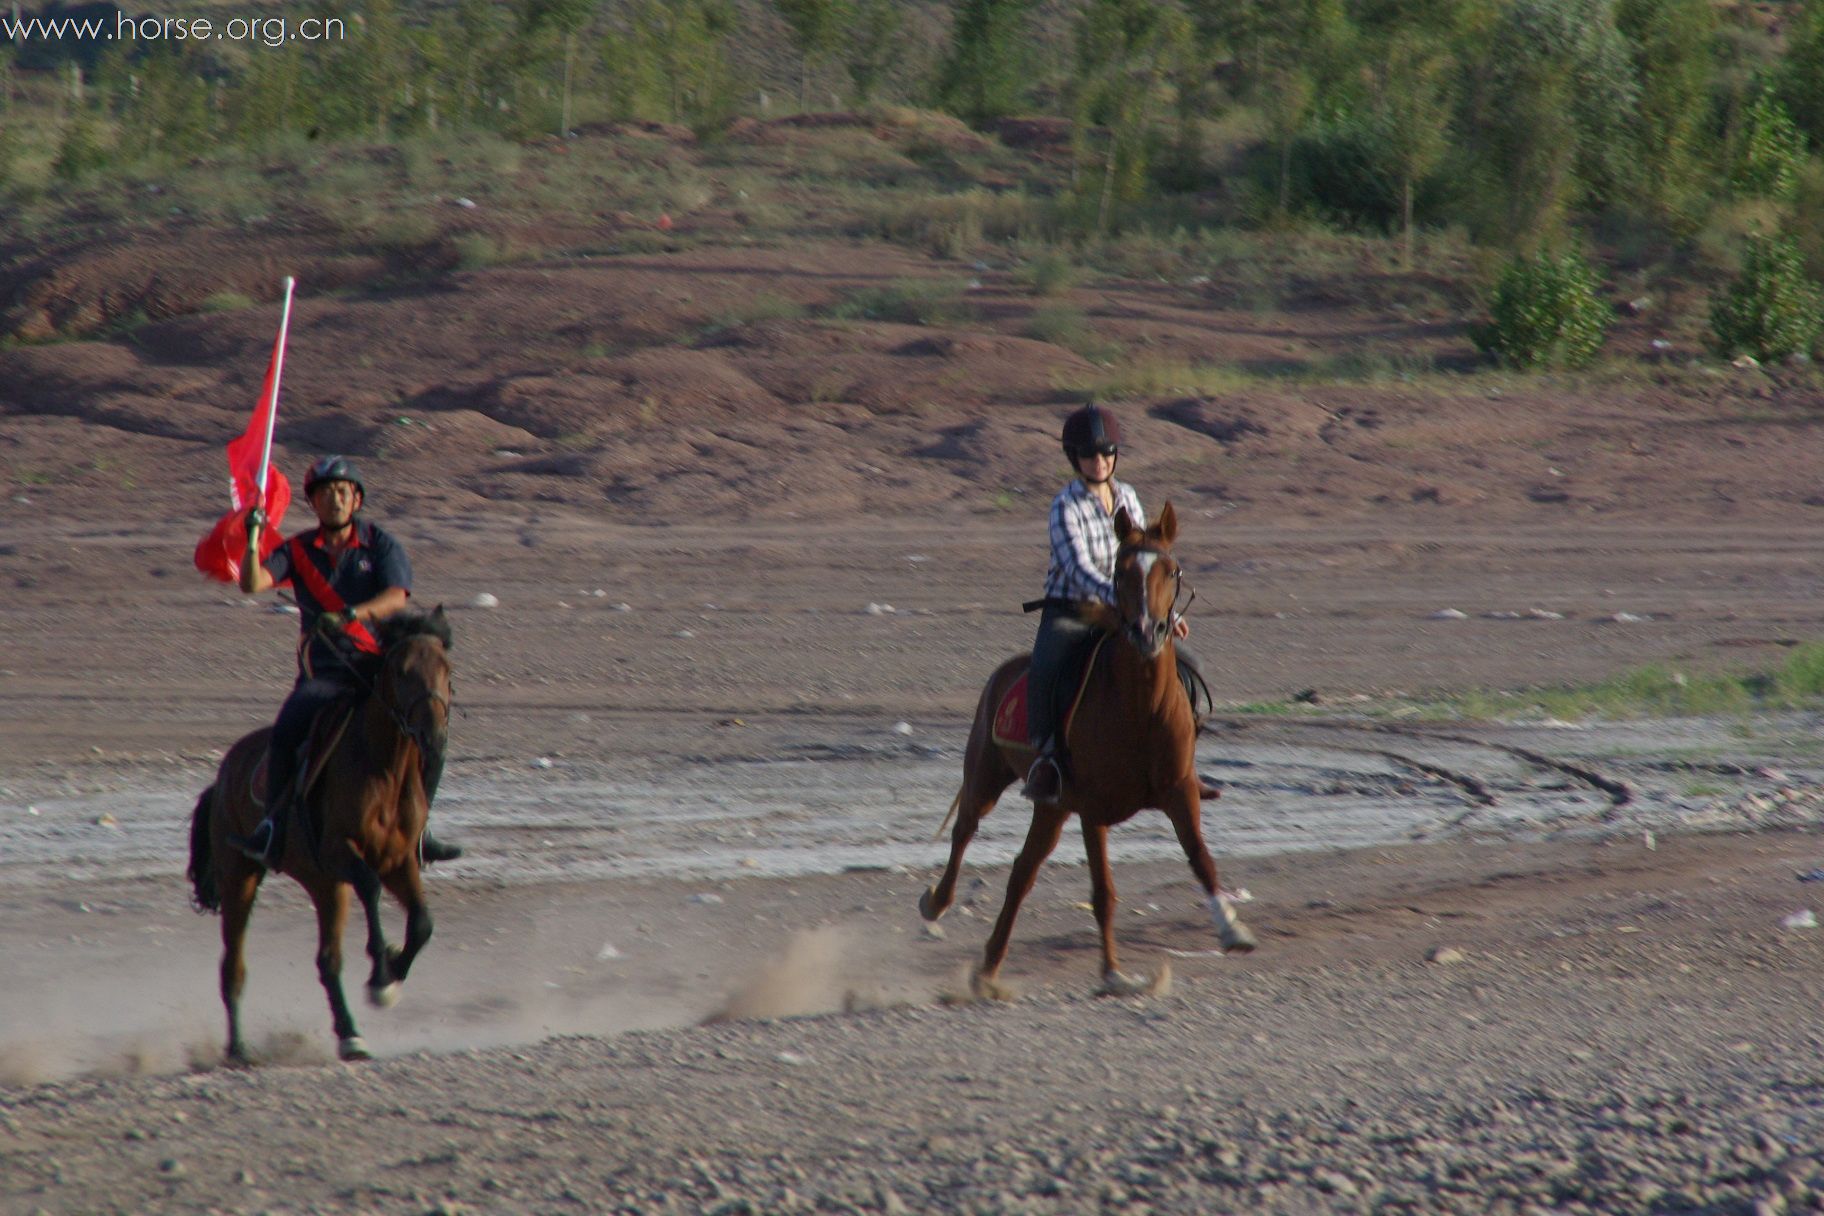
(1083, 568)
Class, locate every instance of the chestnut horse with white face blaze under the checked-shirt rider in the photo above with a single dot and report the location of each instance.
(1132, 747)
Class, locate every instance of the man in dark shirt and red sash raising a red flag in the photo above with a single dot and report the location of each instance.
(347, 575)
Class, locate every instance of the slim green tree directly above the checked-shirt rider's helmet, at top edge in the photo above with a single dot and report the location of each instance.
(1126, 52)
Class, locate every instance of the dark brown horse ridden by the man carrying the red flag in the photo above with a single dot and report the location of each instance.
(357, 827)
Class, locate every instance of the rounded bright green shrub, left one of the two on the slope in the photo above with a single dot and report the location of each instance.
(1544, 313)
